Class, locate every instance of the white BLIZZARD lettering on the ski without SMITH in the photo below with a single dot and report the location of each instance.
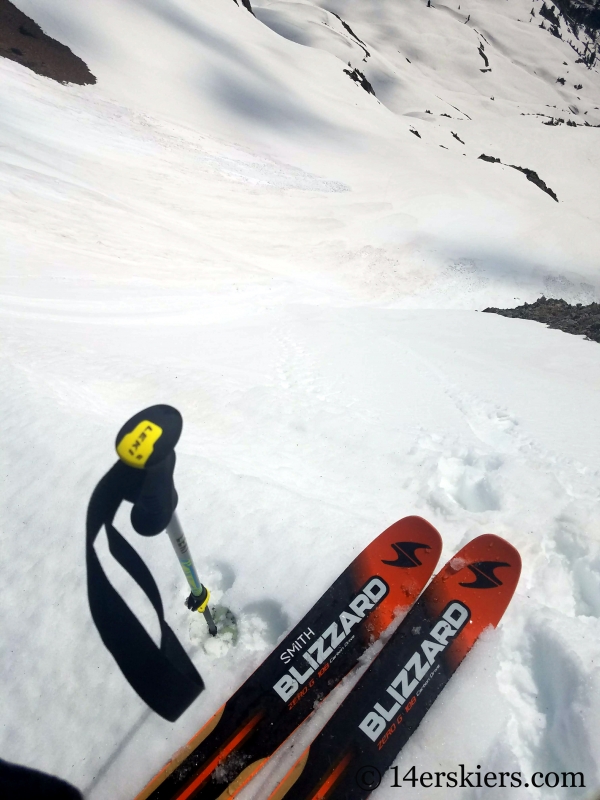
(452, 621)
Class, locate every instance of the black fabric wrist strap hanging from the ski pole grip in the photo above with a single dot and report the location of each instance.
(164, 677)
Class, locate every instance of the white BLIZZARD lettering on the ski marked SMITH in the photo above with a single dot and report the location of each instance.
(361, 606)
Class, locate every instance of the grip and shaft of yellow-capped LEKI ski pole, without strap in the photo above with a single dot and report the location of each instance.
(147, 443)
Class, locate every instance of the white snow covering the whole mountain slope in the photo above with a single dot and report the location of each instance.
(228, 224)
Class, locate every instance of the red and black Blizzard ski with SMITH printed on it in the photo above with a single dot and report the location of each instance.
(382, 582)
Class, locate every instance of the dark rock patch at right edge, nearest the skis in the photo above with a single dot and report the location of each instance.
(578, 319)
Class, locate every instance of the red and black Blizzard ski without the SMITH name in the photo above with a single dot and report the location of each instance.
(349, 757)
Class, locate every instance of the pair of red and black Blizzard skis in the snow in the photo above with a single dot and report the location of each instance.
(361, 740)
